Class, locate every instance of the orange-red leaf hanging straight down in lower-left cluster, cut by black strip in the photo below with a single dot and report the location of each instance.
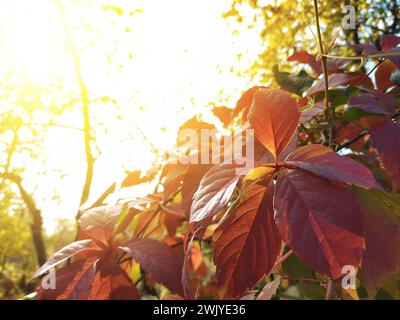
(112, 283)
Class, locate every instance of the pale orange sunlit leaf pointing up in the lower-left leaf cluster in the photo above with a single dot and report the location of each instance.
(98, 223)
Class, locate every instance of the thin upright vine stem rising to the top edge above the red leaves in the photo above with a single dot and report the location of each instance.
(328, 110)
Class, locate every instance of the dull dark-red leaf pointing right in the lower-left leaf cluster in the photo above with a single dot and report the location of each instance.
(158, 260)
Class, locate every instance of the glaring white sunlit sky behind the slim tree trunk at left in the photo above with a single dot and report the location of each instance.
(160, 61)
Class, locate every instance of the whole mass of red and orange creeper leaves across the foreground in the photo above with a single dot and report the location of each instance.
(327, 208)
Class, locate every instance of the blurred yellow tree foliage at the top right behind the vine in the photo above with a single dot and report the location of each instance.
(287, 26)
